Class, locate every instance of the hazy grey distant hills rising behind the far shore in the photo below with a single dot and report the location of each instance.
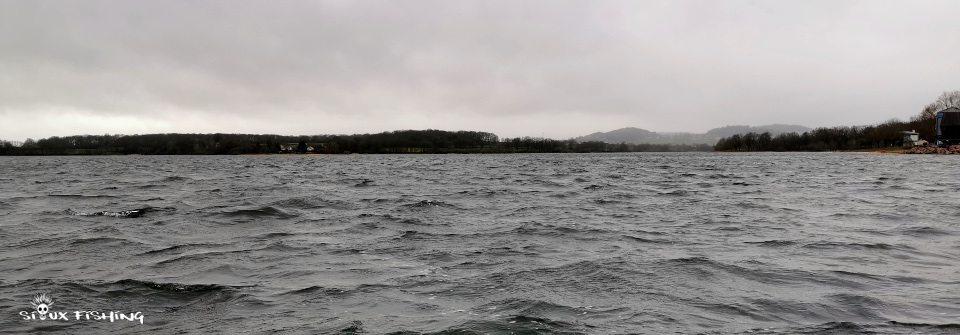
(637, 135)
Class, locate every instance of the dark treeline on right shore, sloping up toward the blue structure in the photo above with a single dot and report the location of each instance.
(886, 134)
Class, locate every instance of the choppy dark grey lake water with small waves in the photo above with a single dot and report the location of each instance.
(578, 243)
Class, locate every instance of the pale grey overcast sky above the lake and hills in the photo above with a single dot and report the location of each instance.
(554, 68)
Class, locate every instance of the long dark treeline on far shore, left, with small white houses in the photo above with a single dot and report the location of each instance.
(404, 141)
